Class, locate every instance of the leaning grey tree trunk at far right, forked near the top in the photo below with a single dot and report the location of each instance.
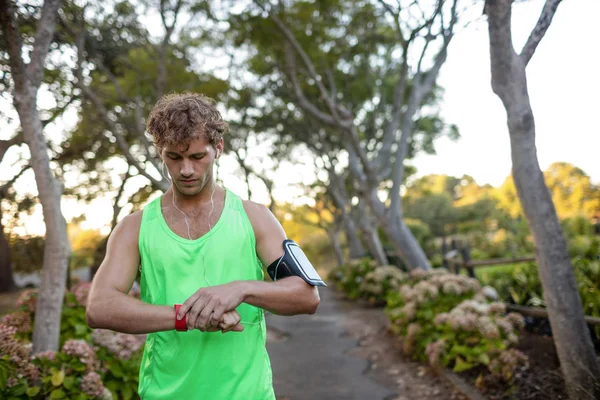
(571, 336)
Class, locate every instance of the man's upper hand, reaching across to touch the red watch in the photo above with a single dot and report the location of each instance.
(206, 307)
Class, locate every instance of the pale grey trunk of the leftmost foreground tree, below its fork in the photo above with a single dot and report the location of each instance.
(57, 247)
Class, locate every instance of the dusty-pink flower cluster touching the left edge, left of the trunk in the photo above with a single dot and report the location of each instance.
(19, 353)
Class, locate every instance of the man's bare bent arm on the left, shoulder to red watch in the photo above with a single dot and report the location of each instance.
(109, 305)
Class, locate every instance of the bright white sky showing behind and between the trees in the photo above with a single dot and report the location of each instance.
(563, 85)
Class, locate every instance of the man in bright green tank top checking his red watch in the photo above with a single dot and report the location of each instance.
(200, 245)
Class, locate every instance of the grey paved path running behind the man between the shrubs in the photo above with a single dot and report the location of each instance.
(312, 363)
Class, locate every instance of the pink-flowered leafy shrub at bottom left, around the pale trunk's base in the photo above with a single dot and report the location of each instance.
(92, 364)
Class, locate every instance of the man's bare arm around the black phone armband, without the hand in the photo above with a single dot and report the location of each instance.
(289, 296)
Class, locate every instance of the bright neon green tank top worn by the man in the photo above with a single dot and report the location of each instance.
(202, 365)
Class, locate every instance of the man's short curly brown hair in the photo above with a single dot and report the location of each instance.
(179, 118)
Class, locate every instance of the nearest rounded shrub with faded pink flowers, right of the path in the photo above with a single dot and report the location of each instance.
(446, 320)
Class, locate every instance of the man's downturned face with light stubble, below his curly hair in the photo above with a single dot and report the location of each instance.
(191, 166)
